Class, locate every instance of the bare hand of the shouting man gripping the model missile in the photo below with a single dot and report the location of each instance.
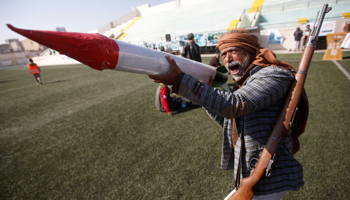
(169, 77)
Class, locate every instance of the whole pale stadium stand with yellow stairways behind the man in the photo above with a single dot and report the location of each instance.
(178, 18)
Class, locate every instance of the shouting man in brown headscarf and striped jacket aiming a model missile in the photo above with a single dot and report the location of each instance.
(248, 114)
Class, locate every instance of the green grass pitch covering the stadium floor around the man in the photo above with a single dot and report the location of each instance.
(86, 134)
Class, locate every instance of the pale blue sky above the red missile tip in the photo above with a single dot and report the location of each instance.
(74, 15)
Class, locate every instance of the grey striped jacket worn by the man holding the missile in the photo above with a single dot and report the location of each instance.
(255, 107)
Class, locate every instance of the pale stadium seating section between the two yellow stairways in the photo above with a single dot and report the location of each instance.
(210, 16)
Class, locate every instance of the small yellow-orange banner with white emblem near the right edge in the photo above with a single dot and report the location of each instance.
(334, 41)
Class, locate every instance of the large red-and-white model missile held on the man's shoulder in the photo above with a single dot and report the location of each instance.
(100, 52)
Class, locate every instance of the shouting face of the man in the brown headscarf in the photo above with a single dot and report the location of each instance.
(236, 61)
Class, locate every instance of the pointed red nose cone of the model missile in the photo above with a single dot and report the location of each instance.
(91, 49)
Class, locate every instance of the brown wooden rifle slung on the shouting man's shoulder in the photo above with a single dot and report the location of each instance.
(284, 121)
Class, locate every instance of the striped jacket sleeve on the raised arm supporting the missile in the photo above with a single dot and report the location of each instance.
(265, 88)
